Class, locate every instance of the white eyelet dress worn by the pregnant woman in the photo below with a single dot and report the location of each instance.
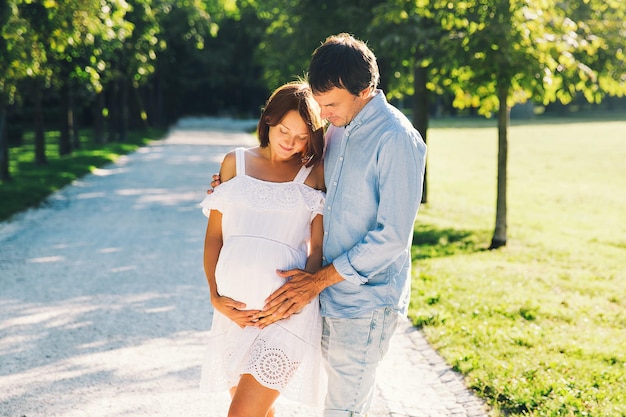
(265, 227)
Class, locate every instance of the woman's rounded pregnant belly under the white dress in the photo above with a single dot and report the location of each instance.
(246, 269)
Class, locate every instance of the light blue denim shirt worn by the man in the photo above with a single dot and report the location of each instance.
(374, 170)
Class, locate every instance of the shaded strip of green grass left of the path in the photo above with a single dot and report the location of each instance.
(31, 184)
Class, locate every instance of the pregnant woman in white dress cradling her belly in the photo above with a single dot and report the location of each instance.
(266, 216)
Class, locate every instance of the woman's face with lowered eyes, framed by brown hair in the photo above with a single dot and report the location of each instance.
(289, 137)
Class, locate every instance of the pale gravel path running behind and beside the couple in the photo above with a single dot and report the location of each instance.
(104, 306)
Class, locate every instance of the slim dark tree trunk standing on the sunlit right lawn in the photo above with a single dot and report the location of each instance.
(499, 235)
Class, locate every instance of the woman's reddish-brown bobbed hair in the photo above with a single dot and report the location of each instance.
(294, 96)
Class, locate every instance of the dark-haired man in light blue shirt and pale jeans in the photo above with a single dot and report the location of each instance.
(374, 169)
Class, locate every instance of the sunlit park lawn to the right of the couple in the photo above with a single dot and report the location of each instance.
(537, 327)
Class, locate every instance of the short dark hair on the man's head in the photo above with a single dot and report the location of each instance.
(343, 62)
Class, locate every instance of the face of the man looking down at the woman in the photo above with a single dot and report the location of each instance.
(339, 106)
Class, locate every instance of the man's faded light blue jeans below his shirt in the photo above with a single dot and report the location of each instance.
(353, 348)
